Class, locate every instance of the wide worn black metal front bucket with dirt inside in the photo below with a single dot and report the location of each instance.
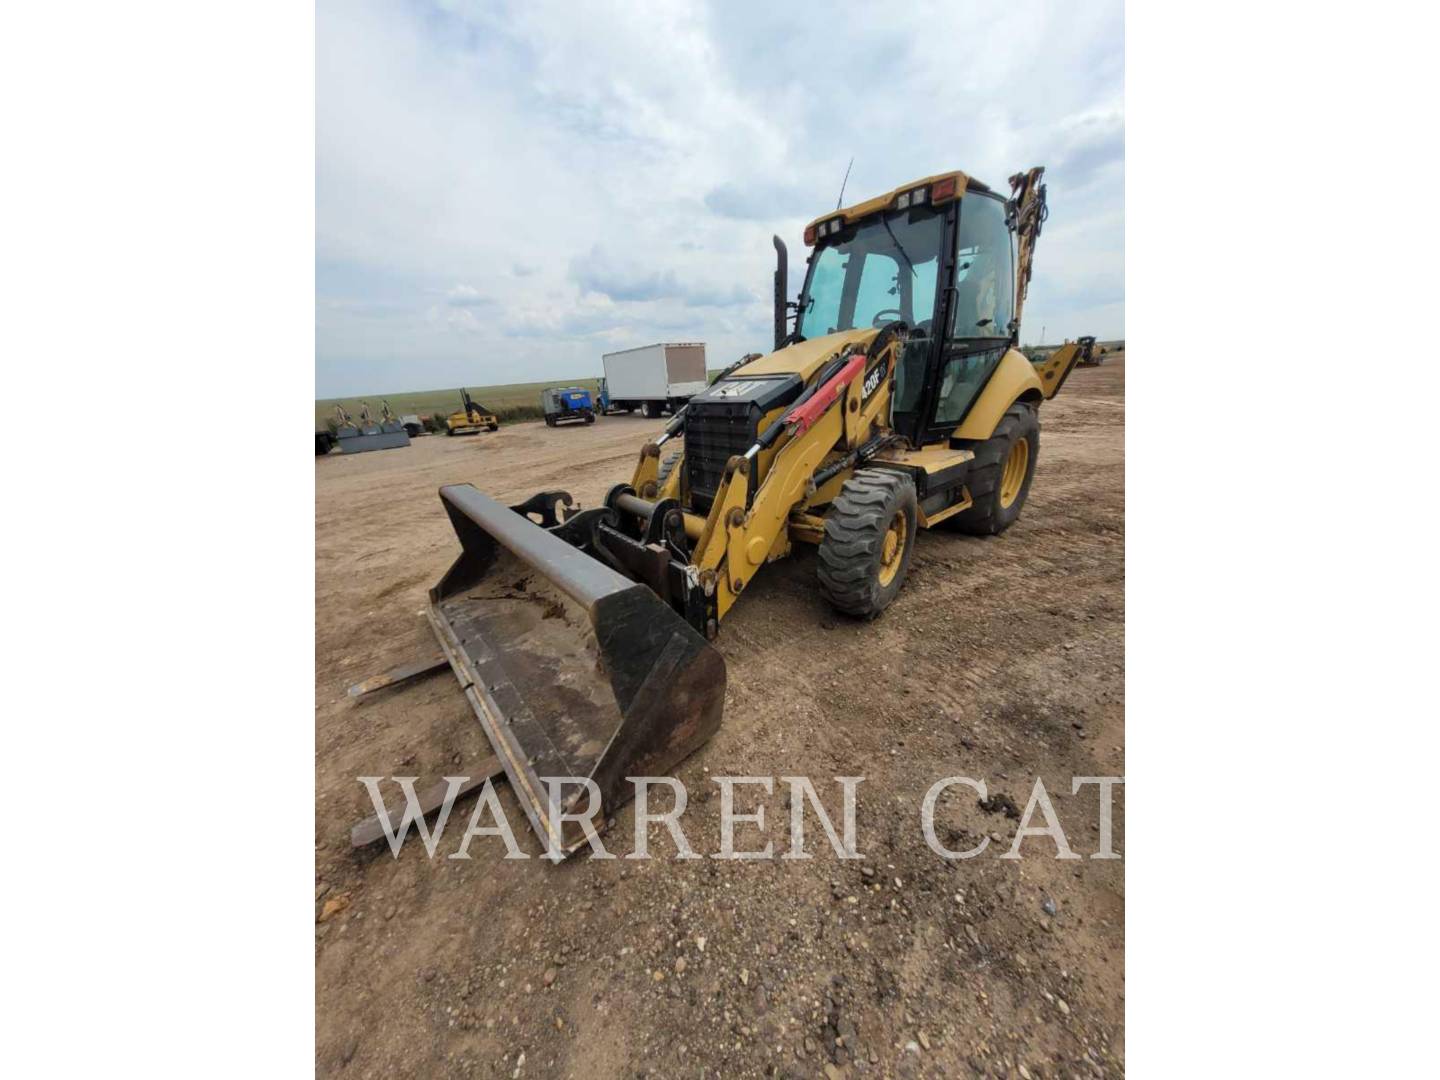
(572, 669)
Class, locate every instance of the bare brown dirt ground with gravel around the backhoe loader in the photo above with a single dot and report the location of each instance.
(1002, 660)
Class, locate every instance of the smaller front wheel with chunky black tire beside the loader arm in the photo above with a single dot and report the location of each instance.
(869, 538)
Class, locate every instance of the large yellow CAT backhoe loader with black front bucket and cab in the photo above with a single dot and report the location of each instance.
(898, 401)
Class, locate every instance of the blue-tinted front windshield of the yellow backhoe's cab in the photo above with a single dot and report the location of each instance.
(882, 270)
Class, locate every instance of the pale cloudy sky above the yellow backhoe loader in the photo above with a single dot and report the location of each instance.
(505, 192)
